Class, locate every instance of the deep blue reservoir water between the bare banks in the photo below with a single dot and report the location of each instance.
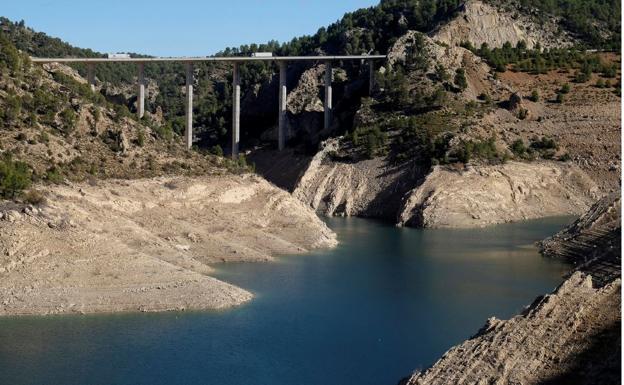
(387, 301)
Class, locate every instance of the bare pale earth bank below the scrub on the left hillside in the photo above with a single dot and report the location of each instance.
(145, 244)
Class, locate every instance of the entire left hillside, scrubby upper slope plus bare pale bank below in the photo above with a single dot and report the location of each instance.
(72, 239)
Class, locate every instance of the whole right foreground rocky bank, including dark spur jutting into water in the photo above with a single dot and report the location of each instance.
(570, 336)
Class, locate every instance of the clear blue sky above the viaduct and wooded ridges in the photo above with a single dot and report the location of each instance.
(176, 27)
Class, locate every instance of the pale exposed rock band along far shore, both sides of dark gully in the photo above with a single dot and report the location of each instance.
(478, 196)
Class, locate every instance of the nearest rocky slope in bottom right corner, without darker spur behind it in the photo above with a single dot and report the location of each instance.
(570, 336)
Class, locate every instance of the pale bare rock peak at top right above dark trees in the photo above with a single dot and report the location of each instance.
(479, 22)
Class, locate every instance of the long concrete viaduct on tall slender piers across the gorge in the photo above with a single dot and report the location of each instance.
(235, 61)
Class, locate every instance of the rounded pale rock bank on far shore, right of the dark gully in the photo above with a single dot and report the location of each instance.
(487, 195)
